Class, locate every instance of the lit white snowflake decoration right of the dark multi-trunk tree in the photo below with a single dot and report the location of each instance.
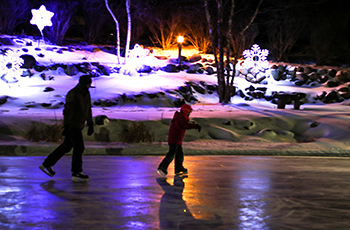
(256, 58)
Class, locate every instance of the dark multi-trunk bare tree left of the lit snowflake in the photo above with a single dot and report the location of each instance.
(221, 30)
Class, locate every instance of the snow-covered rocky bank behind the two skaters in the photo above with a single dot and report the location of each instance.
(126, 96)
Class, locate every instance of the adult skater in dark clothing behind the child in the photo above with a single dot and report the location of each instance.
(77, 111)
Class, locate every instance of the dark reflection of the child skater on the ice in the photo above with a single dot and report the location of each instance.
(173, 211)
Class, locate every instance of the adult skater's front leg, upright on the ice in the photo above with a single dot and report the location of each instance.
(78, 150)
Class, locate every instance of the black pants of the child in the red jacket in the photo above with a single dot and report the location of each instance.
(174, 151)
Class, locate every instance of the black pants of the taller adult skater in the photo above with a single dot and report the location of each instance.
(73, 139)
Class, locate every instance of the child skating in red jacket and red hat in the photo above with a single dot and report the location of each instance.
(178, 126)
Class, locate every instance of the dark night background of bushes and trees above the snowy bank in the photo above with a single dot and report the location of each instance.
(290, 29)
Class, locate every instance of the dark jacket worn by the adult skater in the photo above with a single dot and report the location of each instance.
(77, 109)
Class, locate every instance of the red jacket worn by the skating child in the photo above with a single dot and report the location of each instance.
(178, 127)
